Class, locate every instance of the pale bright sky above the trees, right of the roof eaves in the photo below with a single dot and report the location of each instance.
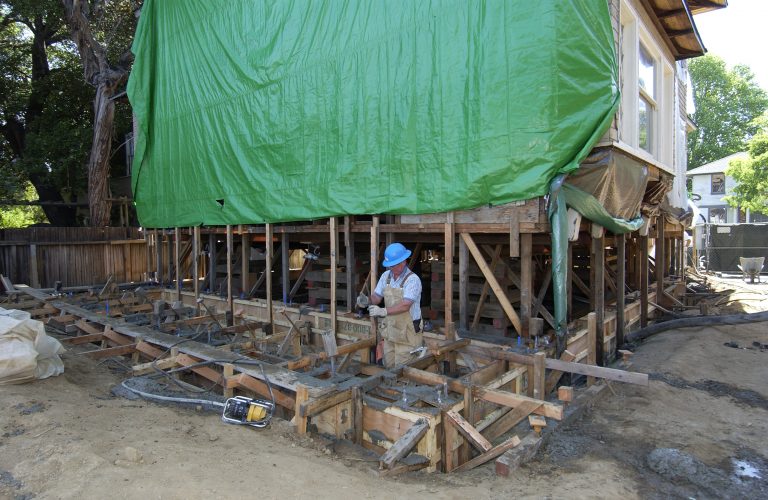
(738, 35)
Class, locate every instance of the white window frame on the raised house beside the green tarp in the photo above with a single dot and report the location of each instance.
(634, 31)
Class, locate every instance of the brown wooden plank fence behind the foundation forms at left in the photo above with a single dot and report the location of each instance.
(76, 256)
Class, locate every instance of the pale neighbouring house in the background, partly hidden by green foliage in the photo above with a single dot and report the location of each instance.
(710, 185)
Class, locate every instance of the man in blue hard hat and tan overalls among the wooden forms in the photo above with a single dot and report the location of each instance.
(401, 290)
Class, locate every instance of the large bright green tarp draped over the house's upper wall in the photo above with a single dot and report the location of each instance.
(268, 111)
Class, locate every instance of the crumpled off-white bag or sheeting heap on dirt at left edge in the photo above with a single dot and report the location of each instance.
(26, 352)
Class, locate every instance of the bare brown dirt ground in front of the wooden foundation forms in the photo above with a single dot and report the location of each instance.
(699, 430)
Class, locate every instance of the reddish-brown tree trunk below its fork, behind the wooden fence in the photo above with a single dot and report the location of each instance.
(101, 150)
